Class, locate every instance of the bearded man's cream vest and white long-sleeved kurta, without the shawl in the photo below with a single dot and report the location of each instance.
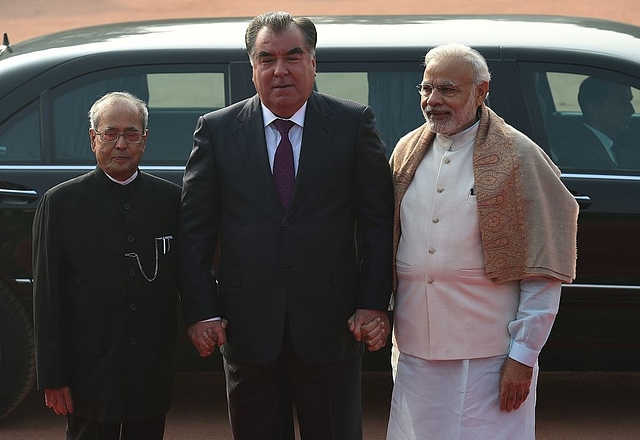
(453, 326)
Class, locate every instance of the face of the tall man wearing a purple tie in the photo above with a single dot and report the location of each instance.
(283, 70)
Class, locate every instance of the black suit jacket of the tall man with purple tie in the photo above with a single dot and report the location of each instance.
(304, 263)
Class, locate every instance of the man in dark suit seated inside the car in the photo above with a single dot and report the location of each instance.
(598, 142)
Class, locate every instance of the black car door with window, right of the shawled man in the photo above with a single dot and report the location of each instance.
(597, 325)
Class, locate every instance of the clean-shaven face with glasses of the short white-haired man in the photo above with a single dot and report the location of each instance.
(118, 159)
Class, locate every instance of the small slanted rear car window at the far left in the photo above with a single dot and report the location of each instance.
(20, 136)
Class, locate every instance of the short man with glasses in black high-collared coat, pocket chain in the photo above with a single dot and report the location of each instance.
(105, 285)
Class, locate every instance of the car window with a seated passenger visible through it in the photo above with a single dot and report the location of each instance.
(592, 120)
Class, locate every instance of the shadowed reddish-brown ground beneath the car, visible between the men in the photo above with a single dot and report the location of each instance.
(571, 406)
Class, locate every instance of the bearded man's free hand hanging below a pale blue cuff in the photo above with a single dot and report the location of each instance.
(514, 384)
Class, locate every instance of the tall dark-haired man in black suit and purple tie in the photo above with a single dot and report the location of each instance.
(304, 276)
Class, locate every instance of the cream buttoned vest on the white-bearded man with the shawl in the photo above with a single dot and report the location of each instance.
(445, 306)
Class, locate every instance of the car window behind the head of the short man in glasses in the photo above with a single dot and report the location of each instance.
(175, 100)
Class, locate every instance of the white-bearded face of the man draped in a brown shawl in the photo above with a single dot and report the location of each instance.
(451, 114)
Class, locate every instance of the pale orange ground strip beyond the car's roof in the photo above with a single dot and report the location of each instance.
(28, 18)
